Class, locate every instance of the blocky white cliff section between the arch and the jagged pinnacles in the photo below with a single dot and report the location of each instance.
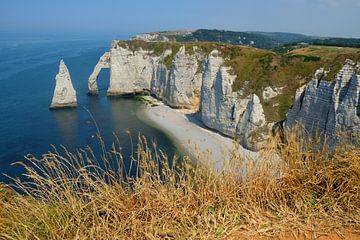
(136, 71)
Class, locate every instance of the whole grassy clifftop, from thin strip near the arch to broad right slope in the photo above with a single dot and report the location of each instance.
(257, 68)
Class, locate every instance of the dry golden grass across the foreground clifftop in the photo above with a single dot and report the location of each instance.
(288, 190)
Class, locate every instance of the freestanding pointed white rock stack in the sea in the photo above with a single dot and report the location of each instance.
(64, 93)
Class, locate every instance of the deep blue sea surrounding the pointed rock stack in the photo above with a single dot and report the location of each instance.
(27, 126)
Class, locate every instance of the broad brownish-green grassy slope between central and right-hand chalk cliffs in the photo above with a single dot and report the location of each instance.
(257, 69)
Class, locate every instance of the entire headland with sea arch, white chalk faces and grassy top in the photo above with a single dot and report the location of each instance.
(241, 92)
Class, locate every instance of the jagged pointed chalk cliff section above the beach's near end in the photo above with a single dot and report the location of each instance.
(227, 111)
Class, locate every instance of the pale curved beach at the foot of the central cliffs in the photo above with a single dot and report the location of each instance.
(190, 135)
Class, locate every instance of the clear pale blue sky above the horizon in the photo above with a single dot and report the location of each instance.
(118, 18)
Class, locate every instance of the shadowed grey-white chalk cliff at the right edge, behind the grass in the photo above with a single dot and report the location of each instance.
(329, 107)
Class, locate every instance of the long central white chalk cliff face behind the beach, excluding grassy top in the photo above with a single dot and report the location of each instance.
(191, 80)
